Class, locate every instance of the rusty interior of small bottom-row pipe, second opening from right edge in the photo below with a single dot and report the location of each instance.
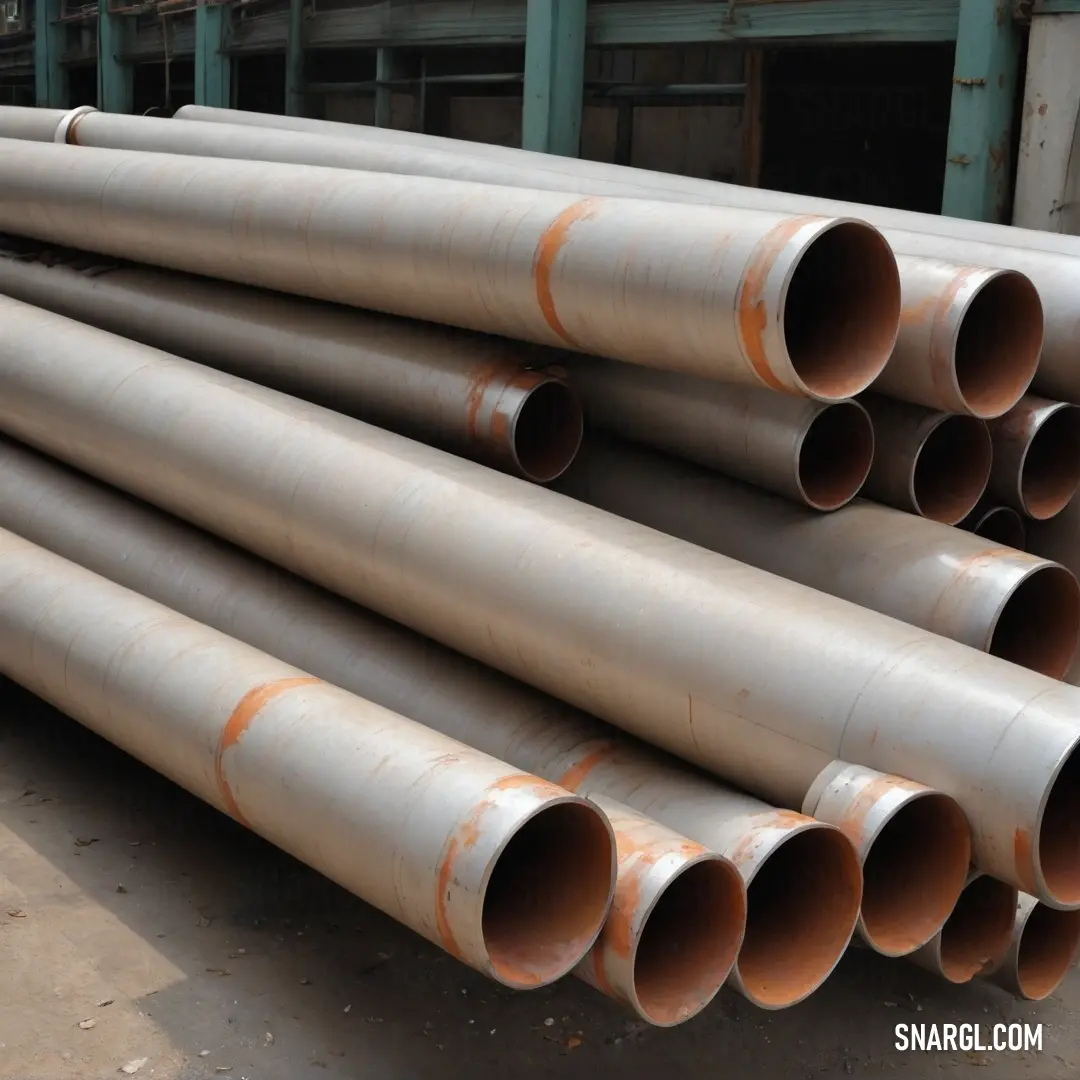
(979, 933)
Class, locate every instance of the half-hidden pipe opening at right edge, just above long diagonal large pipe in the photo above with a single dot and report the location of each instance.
(1039, 624)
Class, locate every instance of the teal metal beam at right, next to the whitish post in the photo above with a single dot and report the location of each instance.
(979, 159)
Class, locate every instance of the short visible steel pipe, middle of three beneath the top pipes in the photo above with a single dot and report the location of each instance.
(934, 465)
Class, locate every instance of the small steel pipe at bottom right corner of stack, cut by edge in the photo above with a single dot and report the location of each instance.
(1043, 949)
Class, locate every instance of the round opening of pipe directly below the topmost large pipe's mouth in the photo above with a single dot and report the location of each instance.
(835, 456)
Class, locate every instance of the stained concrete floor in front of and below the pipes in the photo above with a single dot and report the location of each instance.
(197, 947)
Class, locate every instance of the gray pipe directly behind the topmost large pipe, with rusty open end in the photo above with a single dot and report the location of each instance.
(969, 339)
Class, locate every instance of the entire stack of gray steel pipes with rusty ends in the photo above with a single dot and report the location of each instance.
(890, 696)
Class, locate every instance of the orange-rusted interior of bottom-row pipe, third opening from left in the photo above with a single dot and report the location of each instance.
(802, 909)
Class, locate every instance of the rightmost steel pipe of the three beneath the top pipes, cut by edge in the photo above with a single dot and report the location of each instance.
(1036, 457)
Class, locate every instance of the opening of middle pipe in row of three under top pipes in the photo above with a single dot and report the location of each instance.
(952, 469)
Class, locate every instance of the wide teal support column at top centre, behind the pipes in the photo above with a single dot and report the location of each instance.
(555, 75)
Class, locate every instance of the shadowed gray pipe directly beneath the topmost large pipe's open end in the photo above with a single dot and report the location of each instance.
(816, 453)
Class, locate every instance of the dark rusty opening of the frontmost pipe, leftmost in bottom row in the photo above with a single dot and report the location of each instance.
(548, 895)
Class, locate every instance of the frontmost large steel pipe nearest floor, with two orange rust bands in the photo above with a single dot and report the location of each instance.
(506, 872)
